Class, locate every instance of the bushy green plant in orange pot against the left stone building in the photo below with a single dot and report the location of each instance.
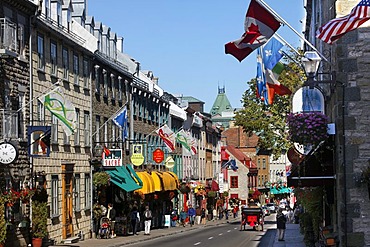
(39, 219)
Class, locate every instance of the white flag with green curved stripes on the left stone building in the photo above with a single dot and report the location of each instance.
(56, 102)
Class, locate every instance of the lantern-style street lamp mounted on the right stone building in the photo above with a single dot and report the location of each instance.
(311, 62)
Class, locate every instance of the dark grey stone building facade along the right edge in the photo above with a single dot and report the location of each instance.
(348, 108)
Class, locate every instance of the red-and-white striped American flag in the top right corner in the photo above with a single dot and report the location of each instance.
(336, 28)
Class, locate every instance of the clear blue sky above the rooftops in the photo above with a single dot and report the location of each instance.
(182, 41)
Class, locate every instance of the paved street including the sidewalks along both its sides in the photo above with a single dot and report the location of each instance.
(211, 234)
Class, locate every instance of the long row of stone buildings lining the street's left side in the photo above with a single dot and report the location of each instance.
(56, 46)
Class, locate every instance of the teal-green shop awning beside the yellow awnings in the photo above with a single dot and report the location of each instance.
(120, 178)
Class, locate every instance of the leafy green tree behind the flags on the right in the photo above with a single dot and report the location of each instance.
(268, 122)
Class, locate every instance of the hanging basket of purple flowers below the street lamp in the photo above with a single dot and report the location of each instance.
(308, 128)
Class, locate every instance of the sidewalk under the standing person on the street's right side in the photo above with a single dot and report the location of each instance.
(293, 237)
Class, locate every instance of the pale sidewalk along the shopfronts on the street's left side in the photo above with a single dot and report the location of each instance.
(154, 233)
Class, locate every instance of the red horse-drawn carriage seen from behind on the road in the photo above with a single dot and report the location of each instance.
(252, 216)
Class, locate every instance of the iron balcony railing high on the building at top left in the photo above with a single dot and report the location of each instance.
(8, 35)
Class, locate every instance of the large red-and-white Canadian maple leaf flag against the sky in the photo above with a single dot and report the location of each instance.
(259, 26)
